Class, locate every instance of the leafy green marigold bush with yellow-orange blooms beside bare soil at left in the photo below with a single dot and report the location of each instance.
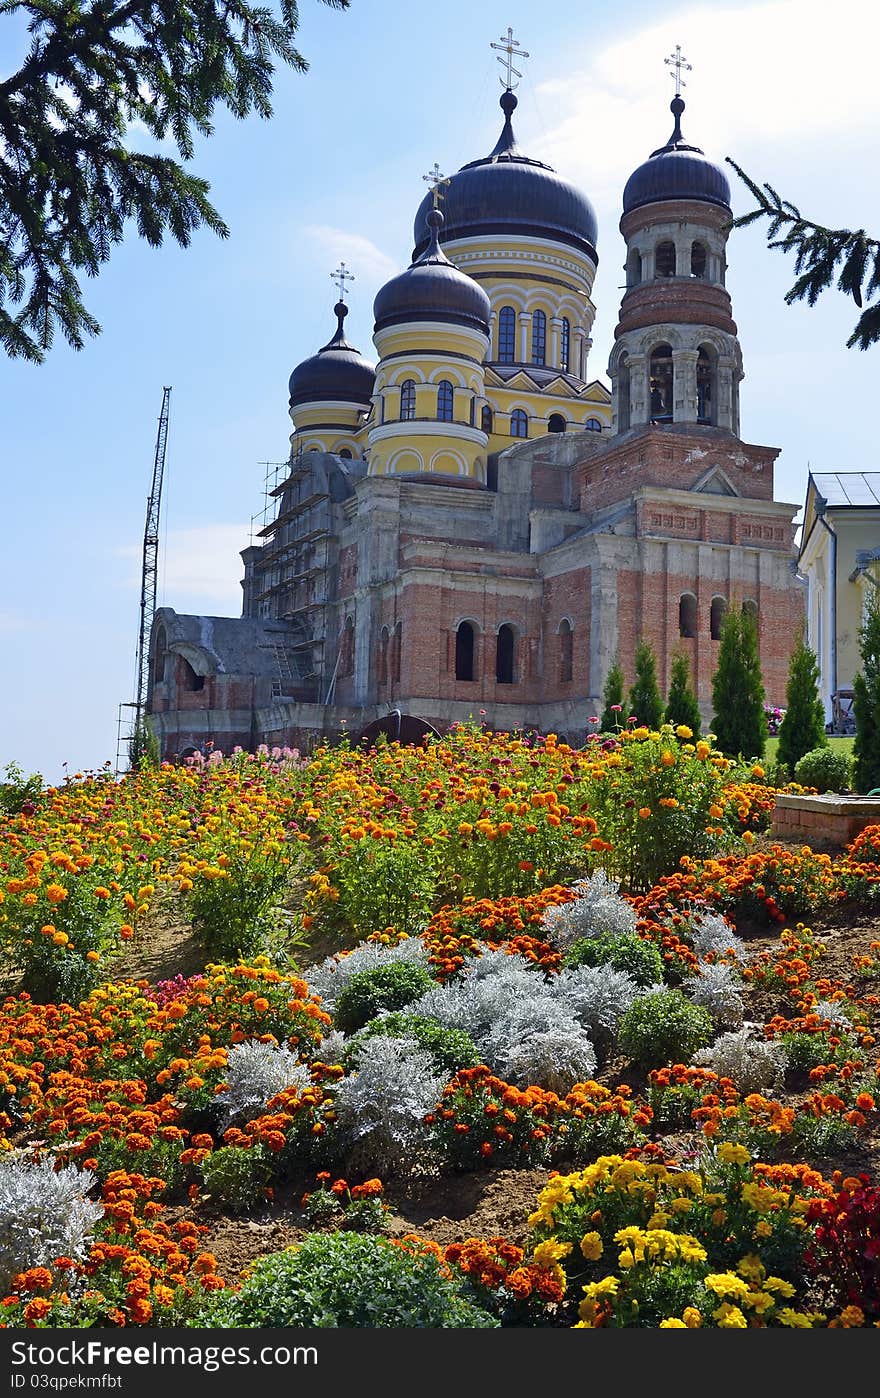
(232, 909)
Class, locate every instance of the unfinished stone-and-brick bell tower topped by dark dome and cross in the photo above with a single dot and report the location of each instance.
(676, 354)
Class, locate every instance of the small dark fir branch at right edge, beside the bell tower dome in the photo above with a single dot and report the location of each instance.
(818, 254)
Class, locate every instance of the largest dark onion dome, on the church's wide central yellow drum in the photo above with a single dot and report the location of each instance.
(507, 194)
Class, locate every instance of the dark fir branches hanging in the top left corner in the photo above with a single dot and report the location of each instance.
(72, 180)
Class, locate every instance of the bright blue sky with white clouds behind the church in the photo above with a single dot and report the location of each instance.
(336, 174)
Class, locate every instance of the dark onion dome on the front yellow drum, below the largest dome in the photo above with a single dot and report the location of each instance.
(433, 290)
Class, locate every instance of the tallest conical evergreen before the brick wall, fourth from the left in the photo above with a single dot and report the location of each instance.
(738, 690)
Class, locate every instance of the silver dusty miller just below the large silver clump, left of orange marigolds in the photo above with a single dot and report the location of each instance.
(381, 1107)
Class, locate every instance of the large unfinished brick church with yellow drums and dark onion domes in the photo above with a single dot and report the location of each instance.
(471, 528)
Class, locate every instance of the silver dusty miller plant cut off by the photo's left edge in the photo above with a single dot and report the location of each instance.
(44, 1214)
